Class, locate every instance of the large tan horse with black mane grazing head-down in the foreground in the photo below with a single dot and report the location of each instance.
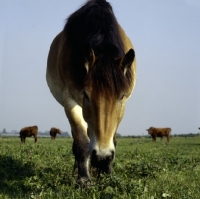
(91, 72)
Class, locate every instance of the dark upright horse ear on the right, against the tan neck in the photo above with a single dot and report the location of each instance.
(127, 60)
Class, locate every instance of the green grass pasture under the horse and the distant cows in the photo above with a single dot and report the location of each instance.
(142, 169)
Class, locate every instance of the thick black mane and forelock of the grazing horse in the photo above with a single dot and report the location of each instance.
(94, 24)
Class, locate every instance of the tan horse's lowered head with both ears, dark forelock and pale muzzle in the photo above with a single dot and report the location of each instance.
(104, 99)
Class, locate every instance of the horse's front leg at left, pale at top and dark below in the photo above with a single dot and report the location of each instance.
(80, 144)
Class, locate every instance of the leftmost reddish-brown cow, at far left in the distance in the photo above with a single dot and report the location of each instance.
(28, 132)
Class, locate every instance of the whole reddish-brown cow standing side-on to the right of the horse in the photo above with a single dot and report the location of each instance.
(159, 132)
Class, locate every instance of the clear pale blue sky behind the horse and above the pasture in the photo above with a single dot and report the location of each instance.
(166, 38)
